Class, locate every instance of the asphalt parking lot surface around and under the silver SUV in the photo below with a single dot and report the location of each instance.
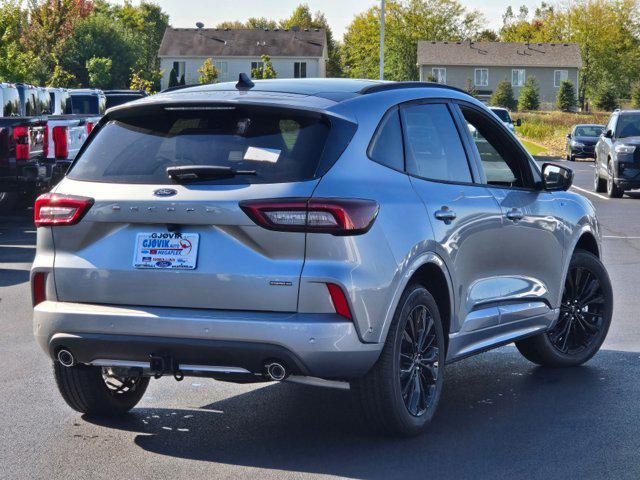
(500, 416)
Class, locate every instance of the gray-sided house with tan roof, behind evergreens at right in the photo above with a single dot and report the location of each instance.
(484, 64)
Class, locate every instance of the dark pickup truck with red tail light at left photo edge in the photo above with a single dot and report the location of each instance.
(22, 144)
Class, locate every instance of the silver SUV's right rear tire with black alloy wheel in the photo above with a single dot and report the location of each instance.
(380, 393)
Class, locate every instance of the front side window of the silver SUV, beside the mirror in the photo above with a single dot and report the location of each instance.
(502, 163)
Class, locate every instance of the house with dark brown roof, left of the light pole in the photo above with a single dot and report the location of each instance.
(294, 54)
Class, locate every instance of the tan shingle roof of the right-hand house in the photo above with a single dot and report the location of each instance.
(499, 54)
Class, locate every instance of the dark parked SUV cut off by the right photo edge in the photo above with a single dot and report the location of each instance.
(618, 154)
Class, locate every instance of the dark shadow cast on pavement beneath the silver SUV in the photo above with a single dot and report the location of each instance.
(499, 416)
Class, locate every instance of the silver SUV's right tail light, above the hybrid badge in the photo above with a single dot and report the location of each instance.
(317, 215)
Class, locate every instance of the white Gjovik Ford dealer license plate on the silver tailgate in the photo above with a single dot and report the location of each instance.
(166, 251)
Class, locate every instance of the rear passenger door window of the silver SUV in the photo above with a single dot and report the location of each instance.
(433, 147)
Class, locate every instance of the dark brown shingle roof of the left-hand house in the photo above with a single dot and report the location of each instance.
(211, 42)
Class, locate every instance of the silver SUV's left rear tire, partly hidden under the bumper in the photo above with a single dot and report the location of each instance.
(85, 390)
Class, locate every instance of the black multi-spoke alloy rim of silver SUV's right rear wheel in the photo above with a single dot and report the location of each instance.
(419, 361)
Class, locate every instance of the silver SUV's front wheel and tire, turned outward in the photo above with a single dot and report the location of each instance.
(579, 332)
